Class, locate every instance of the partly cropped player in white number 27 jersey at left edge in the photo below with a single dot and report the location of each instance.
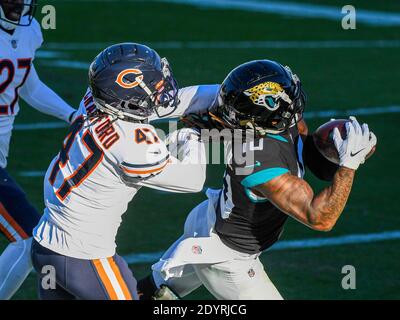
(20, 37)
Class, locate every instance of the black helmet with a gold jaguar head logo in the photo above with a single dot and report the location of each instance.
(261, 96)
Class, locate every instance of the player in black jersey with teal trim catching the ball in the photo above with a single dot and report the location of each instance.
(224, 236)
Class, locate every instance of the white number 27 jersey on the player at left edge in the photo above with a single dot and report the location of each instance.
(17, 52)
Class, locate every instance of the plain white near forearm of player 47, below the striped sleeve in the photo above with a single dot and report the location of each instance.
(187, 175)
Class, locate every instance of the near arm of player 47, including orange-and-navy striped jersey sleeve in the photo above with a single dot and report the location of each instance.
(152, 165)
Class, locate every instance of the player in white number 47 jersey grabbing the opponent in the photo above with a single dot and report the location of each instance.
(109, 154)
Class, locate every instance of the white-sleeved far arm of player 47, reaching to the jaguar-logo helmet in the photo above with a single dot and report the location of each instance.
(194, 99)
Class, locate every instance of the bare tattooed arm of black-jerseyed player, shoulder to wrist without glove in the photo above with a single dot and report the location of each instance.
(295, 197)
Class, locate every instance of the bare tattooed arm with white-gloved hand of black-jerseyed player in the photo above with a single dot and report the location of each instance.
(295, 197)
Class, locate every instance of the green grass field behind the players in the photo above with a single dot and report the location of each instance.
(334, 78)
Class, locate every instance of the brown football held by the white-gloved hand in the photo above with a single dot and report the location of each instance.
(323, 139)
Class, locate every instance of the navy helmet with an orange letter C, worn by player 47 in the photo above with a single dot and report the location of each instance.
(131, 82)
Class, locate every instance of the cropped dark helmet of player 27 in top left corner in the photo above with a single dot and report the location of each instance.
(12, 13)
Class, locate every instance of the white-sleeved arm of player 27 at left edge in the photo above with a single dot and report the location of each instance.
(43, 99)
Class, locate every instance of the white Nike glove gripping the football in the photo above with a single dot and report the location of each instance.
(358, 143)
